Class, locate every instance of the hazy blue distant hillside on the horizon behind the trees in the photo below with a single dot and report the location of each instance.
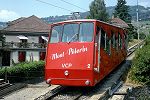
(144, 14)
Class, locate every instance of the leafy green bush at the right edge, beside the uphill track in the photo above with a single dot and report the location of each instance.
(140, 68)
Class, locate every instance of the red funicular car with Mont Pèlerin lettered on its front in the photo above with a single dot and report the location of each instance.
(82, 52)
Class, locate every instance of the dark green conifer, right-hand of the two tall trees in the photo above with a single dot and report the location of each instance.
(122, 11)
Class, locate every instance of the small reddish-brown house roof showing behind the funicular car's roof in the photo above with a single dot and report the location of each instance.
(119, 22)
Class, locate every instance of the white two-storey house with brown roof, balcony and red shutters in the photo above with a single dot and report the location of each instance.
(25, 40)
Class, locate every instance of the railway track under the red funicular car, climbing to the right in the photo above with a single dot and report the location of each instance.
(102, 91)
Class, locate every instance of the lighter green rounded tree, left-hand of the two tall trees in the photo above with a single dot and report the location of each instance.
(98, 10)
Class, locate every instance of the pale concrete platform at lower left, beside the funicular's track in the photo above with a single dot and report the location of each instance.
(31, 92)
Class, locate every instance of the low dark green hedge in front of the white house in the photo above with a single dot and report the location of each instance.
(24, 71)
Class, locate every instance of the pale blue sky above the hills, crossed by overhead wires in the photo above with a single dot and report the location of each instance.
(13, 9)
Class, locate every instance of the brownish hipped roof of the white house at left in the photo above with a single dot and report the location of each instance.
(30, 24)
